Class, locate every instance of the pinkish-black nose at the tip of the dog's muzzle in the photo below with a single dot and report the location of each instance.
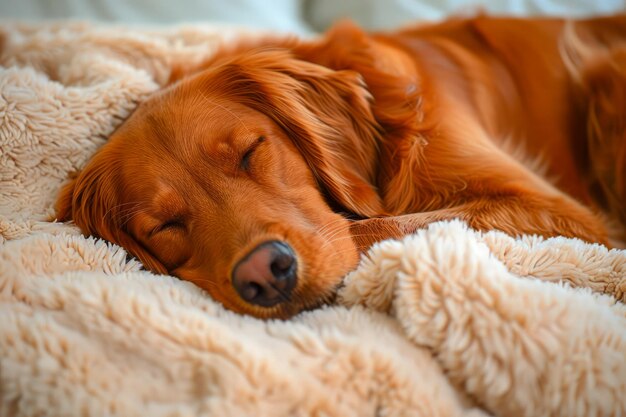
(267, 275)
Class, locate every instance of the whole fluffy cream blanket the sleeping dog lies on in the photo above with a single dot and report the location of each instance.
(447, 322)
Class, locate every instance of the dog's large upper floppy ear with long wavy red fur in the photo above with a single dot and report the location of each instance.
(326, 113)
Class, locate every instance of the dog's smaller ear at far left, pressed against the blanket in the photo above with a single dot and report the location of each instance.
(91, 200)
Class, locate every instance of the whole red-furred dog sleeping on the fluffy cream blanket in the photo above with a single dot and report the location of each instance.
(262, 173)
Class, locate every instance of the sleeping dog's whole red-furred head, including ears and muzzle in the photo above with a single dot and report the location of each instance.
(233, 179)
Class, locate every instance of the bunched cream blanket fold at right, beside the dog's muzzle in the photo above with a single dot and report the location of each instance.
(520, 346)
